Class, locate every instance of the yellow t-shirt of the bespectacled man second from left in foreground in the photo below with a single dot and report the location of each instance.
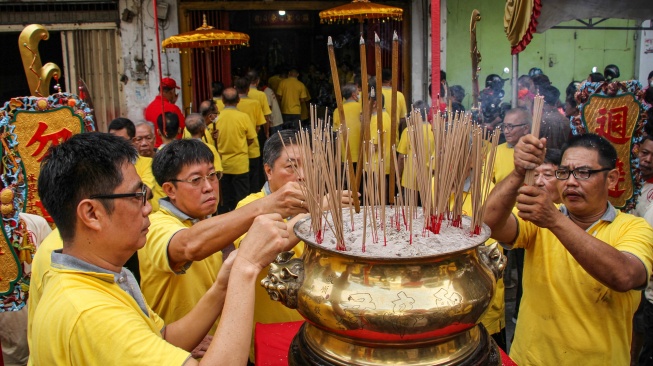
(172, 295)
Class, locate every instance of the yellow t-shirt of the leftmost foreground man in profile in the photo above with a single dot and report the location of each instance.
(85, 318)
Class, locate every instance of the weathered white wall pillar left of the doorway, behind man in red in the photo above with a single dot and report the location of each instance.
(139, 50)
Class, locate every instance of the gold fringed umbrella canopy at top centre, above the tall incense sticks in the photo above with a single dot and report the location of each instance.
(361, 10)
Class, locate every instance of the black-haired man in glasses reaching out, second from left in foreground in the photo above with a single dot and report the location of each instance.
(183, 253)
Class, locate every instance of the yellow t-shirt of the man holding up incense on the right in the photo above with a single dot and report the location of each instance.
(566, 316)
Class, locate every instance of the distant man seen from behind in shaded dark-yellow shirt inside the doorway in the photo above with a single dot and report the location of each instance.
(291, 94)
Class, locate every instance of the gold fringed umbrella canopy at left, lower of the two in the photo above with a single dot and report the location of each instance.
(206, 36)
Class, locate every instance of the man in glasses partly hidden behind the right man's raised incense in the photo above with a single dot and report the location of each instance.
(516, 123)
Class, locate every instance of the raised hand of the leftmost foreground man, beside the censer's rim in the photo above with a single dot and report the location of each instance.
(267, 237)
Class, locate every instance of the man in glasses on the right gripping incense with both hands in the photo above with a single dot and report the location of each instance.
(583, 261)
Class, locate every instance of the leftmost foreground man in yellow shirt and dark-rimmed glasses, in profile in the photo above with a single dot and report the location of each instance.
(92, 310)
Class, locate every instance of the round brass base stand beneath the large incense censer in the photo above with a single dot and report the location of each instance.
(474, 347)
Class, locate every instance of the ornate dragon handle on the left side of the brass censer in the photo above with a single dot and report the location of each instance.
(284, 279)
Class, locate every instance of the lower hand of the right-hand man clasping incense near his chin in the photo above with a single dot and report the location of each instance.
(535, 205)
